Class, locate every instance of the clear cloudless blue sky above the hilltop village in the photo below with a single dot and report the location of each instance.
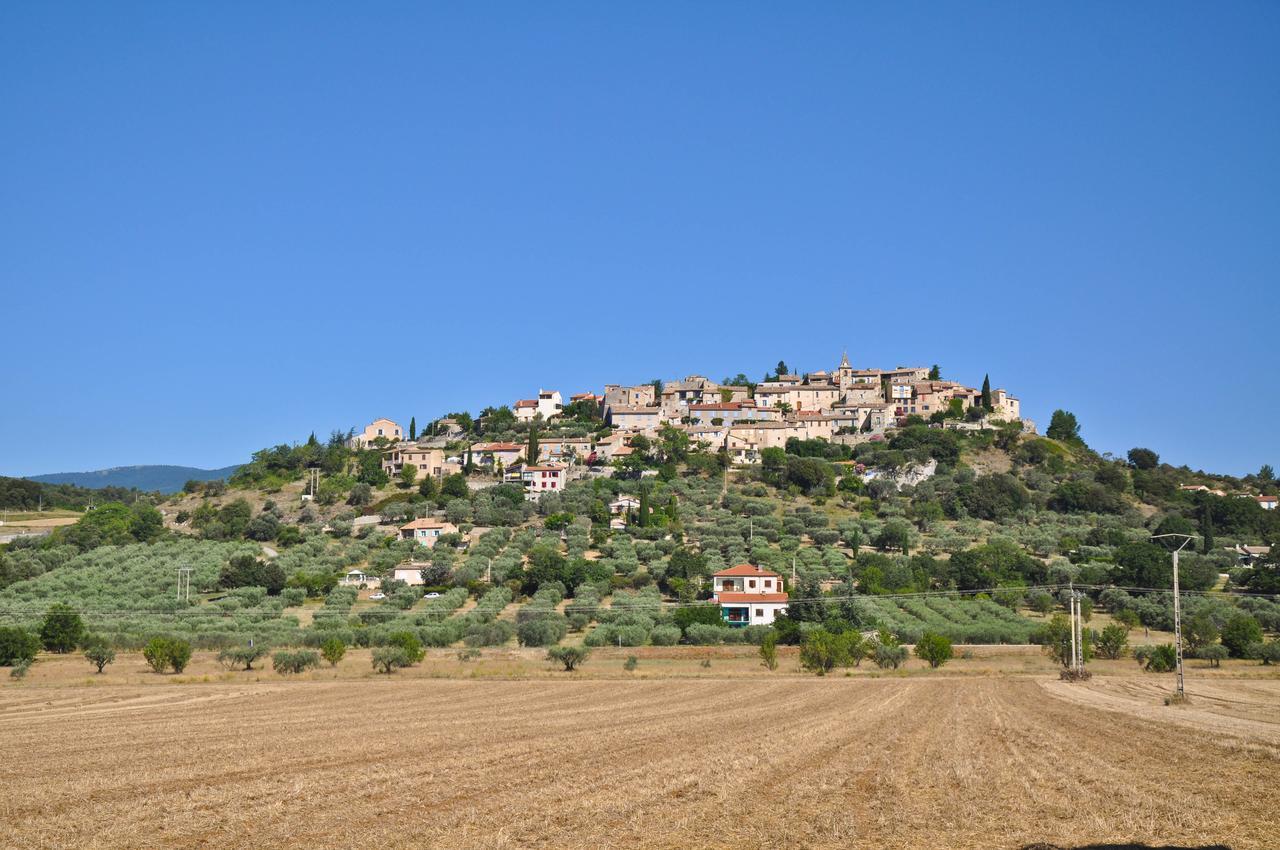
(225, 226)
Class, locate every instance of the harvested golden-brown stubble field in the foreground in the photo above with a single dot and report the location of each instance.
(924, 762)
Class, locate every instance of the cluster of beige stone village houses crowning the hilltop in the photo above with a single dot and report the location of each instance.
(735, 418)
